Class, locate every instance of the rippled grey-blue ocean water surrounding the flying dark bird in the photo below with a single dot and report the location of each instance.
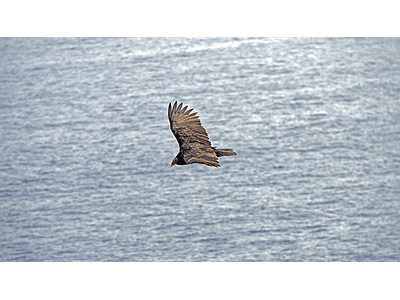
(85, 149)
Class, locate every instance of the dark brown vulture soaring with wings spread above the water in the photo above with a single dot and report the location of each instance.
(194, 145)
